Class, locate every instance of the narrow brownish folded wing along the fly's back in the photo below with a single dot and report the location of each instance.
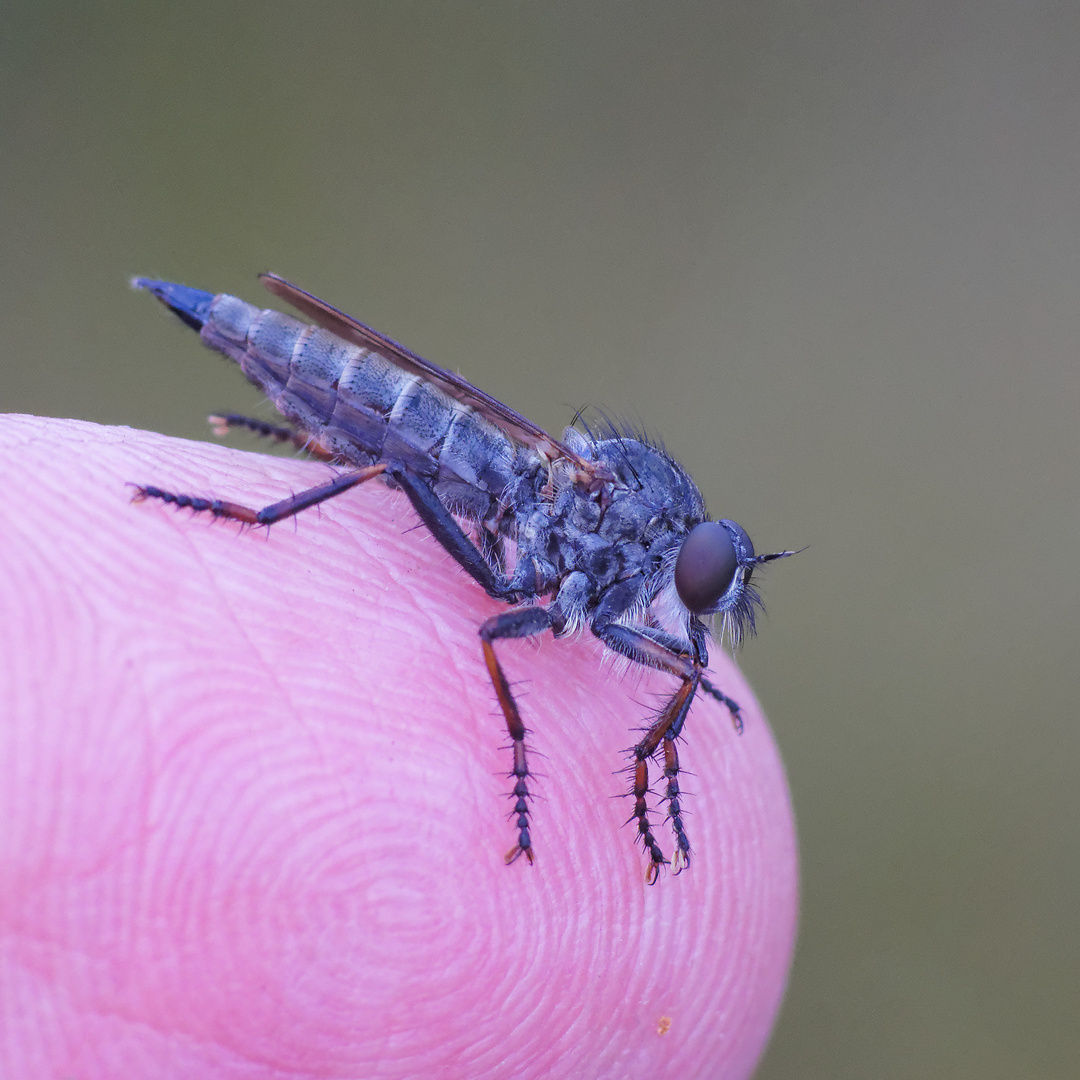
(345, 327)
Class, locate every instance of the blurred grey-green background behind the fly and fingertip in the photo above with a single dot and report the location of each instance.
(829, 252)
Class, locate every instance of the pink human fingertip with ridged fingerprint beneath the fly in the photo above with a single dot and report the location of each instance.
(254, 803)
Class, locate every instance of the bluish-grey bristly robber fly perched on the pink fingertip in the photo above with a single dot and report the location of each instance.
(602, 529)
